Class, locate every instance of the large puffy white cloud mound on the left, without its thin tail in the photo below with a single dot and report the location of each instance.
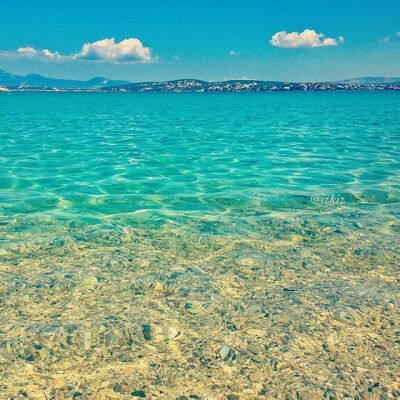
(128, 50)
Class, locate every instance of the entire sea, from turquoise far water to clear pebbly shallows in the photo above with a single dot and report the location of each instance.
(267, 223)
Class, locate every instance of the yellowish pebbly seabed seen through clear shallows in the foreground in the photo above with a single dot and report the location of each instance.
(292, 308)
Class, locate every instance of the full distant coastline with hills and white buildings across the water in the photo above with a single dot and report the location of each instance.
(17, 83)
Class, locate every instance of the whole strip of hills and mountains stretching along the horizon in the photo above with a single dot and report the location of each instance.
(9, 80)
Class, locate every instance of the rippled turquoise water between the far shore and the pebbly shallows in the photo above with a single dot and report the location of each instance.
(97, 158)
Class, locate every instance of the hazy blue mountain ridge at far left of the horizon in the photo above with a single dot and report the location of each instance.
(11, 80)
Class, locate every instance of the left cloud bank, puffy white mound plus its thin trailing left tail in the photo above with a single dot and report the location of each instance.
(105, 50)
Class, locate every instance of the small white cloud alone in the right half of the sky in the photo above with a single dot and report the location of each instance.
(307, 38)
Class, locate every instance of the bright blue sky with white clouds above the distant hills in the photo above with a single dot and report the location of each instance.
(153, 40)
